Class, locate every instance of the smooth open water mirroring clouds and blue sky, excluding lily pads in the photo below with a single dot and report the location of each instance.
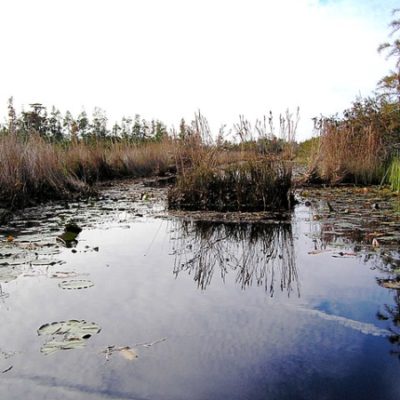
(222, 342)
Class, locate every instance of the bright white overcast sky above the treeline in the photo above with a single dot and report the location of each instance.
(168, 58)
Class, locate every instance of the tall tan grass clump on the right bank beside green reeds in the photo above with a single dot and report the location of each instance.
(353, 149)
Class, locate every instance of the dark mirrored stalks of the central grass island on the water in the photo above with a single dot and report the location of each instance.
(261, 254)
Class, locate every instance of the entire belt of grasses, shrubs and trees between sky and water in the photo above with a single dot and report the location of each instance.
(45, 155)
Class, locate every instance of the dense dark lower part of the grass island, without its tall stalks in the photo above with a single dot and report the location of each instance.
(249, 186)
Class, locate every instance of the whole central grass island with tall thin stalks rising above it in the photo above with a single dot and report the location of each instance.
(210, 177)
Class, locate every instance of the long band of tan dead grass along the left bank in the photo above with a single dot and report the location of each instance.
(32, 169)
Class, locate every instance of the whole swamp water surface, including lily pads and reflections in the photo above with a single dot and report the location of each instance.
(151, 306)
